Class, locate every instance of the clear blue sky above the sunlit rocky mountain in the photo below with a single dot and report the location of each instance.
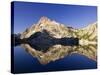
(76, 16)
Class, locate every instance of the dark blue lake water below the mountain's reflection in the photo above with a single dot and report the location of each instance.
(24, 63)
